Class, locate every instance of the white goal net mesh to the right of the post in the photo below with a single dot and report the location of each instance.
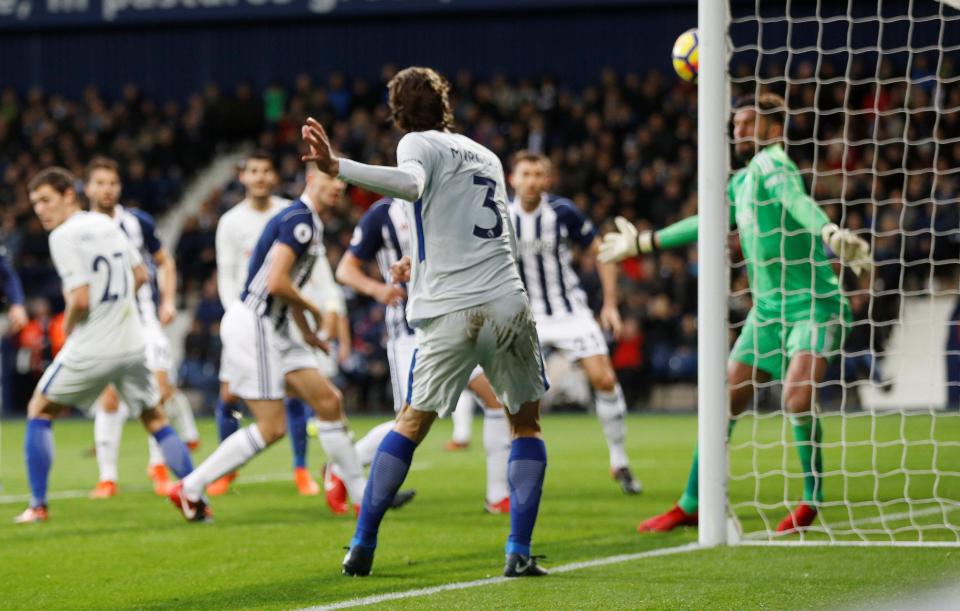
(873, 94)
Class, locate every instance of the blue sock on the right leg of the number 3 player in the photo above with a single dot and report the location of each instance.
(526, 469)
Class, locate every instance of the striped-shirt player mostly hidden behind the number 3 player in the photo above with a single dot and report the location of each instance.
(383, 234)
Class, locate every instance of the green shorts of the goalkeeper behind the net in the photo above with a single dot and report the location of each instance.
(770, 343)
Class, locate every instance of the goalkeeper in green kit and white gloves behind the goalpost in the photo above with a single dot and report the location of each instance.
(798, 314)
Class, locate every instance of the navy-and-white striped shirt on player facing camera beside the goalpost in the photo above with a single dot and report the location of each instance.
(543, 242)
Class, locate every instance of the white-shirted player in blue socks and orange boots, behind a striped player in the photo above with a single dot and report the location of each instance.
(237, 234)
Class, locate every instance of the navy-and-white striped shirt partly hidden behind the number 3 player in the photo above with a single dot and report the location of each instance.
(384, 234)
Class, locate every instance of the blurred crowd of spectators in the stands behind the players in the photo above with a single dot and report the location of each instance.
(624, 145)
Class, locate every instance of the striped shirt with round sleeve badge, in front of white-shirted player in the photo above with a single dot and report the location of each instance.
(299, 227)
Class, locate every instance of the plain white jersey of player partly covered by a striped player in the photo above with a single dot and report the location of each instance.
(237, 234)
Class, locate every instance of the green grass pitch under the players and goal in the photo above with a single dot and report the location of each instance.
(270, 548)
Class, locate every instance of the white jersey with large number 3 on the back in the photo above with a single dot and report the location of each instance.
(464, 251)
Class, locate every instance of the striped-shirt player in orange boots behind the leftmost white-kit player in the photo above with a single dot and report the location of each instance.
(156, 302)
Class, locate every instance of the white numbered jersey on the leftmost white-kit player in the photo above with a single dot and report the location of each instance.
(89, 249)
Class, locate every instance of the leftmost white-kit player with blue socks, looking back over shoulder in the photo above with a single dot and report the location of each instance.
(100, 270)
